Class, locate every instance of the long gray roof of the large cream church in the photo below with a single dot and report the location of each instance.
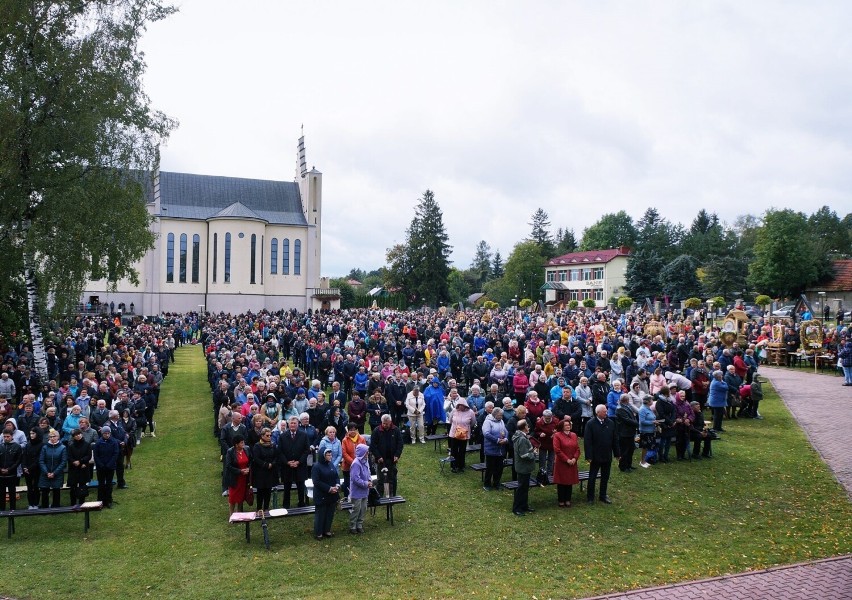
(188, 196)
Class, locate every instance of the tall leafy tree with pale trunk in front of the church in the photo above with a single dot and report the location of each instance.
(74, 122)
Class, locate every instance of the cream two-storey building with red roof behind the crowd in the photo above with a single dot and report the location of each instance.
(596, 274)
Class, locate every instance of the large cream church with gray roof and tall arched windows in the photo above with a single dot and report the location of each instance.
(228, 244)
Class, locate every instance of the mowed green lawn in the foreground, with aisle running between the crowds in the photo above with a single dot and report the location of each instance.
(764, 499)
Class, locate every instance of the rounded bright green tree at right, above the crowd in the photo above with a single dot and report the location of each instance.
(785, 254)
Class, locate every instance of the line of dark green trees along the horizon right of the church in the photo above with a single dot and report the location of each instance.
(779, 254)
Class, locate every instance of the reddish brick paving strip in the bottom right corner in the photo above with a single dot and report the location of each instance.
(827, 579)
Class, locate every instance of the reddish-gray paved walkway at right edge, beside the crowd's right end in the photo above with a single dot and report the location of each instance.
(823, 407)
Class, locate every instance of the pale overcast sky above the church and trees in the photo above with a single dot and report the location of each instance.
(581, 108)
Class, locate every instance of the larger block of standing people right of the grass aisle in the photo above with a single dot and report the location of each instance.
(525, 386)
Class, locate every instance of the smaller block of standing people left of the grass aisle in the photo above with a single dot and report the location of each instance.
(82, 424)
